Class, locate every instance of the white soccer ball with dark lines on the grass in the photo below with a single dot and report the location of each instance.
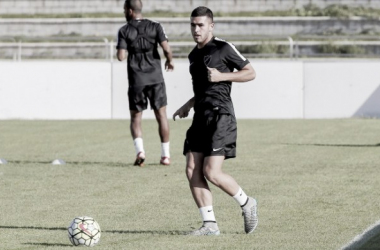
(84, 231)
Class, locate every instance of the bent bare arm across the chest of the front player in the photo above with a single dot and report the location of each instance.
(247, 73)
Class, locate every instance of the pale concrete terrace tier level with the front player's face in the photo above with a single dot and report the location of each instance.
(179, 27)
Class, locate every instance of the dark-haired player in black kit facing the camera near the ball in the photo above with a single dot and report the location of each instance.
(211, 137)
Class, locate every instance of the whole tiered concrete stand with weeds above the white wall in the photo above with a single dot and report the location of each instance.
(258, 36)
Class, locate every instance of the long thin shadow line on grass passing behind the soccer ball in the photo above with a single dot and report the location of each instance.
(159, 232)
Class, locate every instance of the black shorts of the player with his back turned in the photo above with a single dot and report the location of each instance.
(138, 96)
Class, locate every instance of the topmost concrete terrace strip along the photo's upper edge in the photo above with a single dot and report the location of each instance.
(115, 6)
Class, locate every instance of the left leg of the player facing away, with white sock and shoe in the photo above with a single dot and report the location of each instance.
(136, 132)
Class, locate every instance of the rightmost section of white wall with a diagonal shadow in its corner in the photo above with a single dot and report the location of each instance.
(342, 89)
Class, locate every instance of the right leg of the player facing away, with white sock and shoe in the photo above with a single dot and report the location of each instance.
(163, 131)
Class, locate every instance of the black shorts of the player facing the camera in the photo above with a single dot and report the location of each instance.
(212, 134)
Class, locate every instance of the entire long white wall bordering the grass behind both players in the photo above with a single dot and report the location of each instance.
(282, 89)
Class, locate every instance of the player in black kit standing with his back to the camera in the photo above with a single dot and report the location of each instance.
(140, 38)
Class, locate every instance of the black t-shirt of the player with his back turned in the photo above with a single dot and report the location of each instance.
(140, 38)
